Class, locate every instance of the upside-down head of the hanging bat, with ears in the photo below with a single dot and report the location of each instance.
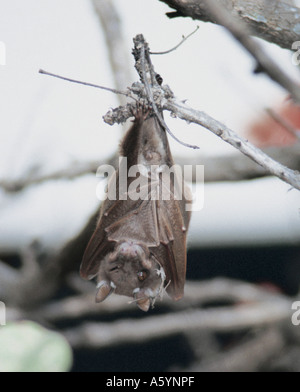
(132, 271)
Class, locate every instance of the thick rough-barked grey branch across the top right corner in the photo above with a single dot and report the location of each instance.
(274, 21)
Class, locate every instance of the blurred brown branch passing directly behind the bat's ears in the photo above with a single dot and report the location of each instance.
(196, 295)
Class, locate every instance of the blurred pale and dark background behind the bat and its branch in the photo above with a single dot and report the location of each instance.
(244, 245)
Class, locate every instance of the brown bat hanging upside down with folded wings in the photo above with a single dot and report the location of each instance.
(139, 246)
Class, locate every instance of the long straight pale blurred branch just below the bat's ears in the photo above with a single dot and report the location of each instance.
(98, 335)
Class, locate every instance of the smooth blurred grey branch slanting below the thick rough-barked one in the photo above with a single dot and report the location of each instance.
(265, 63)
